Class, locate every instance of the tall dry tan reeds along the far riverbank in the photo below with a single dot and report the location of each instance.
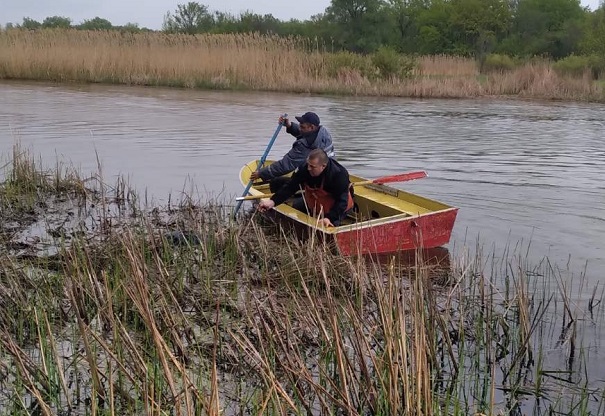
(251, 62)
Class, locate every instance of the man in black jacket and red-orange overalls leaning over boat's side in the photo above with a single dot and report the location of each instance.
(326, 189)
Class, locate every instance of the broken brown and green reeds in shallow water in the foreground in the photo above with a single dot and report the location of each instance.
(183, 310)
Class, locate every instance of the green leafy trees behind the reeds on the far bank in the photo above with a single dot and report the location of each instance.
(476, 28)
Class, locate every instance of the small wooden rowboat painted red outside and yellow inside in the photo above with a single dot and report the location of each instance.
(385, 219)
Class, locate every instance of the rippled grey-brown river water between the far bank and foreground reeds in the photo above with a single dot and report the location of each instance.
(524, 174)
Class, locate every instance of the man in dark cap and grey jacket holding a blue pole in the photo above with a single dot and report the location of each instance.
(310, 134)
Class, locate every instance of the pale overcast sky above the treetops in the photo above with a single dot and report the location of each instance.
(151, 13)
